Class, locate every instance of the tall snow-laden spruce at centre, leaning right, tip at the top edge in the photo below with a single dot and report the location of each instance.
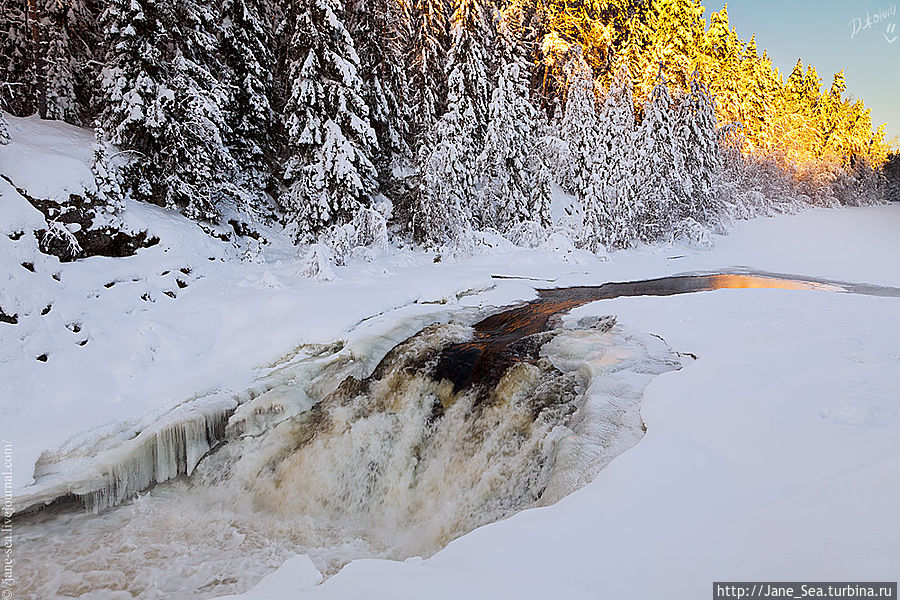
(449, 183)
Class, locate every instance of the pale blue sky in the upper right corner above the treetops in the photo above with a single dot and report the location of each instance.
(819, 32)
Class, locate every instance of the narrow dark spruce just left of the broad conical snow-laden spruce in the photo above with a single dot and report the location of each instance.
(246, 45)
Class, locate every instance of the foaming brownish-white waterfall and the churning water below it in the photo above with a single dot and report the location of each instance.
(393, 465)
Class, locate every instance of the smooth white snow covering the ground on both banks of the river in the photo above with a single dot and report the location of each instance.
(773, 456)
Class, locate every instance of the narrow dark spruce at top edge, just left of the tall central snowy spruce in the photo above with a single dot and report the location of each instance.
(428, 45)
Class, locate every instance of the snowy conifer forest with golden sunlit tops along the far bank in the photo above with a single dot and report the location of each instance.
(352, 121)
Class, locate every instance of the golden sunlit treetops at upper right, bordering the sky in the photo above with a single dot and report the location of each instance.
(797, 120)
